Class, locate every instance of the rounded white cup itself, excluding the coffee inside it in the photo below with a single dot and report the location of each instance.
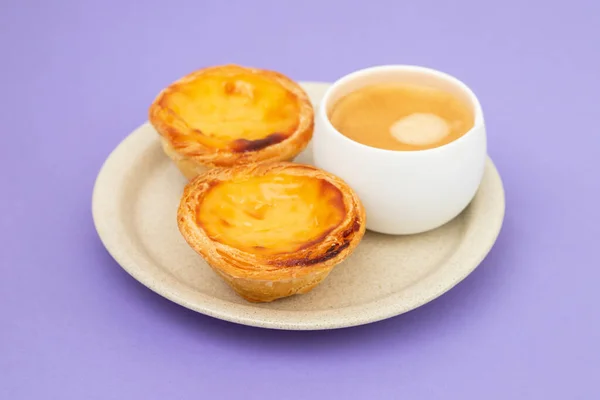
(404, 192)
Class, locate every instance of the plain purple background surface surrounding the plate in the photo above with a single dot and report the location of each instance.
(77, 78)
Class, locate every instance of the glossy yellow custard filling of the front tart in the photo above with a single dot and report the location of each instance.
(271, 214)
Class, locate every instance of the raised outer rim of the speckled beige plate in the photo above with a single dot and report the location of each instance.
(221, 309)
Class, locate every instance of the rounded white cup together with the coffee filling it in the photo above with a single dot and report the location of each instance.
(410, 141)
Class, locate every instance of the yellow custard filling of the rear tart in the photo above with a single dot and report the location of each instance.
(240, 112)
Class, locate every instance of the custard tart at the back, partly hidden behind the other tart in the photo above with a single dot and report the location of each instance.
(230, 115)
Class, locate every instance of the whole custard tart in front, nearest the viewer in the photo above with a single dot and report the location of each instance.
(273, 229)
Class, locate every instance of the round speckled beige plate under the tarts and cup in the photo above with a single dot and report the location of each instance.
(134, 208)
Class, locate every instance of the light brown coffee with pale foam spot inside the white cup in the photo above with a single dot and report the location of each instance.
(404, 117)
